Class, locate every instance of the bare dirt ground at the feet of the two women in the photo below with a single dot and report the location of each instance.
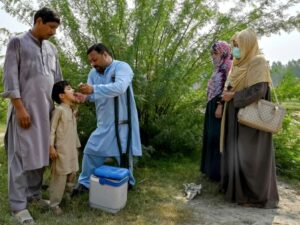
(213, 210)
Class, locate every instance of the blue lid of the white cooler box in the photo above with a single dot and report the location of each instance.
(111, 172)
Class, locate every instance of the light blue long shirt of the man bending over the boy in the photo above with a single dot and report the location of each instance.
(102, 141)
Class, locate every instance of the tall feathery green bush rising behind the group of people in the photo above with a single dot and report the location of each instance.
(167, 43)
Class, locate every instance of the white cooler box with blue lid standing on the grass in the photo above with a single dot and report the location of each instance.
(108, 188)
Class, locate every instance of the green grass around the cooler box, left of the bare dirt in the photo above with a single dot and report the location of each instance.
(157, 198)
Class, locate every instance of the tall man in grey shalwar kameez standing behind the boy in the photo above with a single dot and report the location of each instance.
(30, 70)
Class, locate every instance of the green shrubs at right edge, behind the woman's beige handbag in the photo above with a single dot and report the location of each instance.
(287, 142)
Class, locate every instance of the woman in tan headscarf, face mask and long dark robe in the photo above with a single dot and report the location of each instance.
(248, 166)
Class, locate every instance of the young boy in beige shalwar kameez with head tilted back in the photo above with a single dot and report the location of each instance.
(64, 142)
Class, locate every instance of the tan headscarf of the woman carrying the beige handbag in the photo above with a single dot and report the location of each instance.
(250, 69)
